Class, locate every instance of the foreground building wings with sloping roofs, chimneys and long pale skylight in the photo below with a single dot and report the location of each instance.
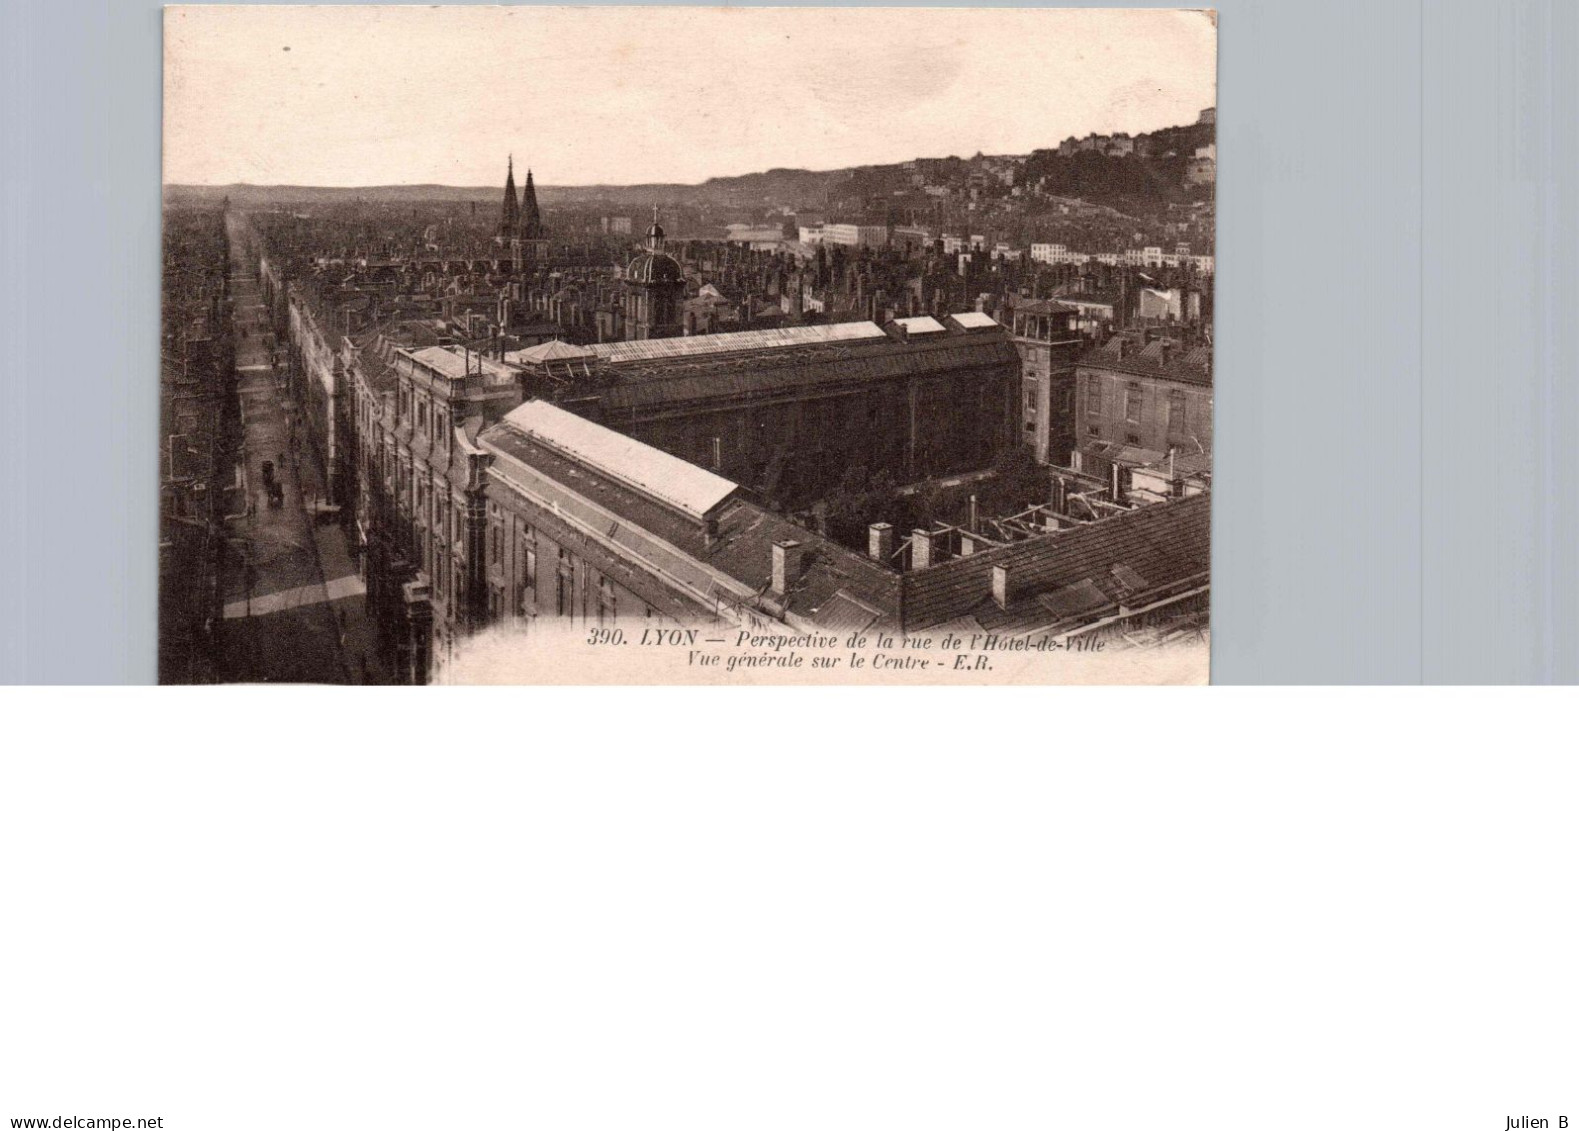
(590, 525)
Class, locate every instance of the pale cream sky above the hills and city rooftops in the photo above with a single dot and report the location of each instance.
(389, 96)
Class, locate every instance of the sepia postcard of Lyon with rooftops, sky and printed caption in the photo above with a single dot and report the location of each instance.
(688, 345)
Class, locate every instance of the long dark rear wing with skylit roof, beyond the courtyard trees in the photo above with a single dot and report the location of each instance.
(787, 413)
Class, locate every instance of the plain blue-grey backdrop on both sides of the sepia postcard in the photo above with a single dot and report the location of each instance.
(1397, 369)
